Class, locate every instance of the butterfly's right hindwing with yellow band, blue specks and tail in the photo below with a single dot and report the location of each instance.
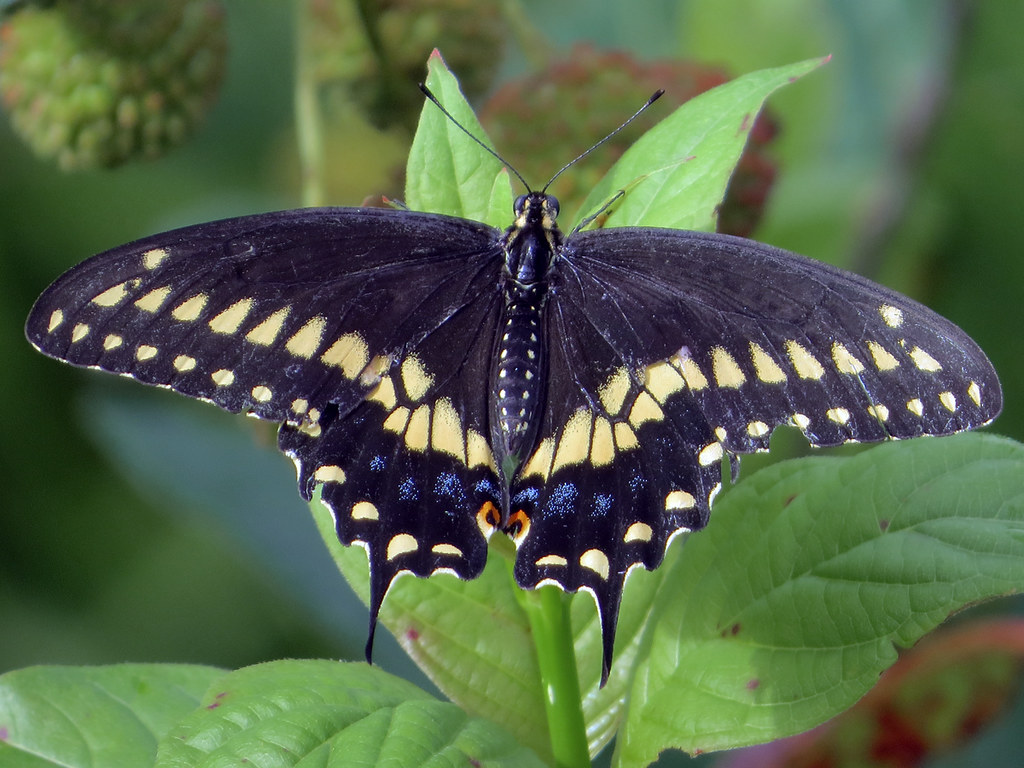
(625, 461)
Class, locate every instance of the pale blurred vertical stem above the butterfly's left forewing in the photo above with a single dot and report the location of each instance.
(309, 120)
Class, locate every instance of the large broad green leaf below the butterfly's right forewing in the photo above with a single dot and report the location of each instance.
(786, 611)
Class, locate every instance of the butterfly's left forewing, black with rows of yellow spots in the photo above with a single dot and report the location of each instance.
(278, 315)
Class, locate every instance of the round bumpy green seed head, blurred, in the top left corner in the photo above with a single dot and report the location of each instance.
(98, 83)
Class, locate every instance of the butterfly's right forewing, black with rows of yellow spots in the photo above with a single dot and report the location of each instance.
(763, 337)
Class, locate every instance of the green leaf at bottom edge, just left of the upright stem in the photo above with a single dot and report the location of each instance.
(326, 714)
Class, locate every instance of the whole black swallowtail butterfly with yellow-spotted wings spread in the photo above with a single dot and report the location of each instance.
(444, 380)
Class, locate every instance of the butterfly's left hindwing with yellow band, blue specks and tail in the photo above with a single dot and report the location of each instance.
(409, 473)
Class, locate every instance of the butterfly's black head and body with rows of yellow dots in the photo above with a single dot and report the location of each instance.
(531, 246)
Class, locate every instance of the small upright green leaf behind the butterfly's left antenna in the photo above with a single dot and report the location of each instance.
(448, 173)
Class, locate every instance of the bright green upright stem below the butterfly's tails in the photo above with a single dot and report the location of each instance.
(547, 610)
